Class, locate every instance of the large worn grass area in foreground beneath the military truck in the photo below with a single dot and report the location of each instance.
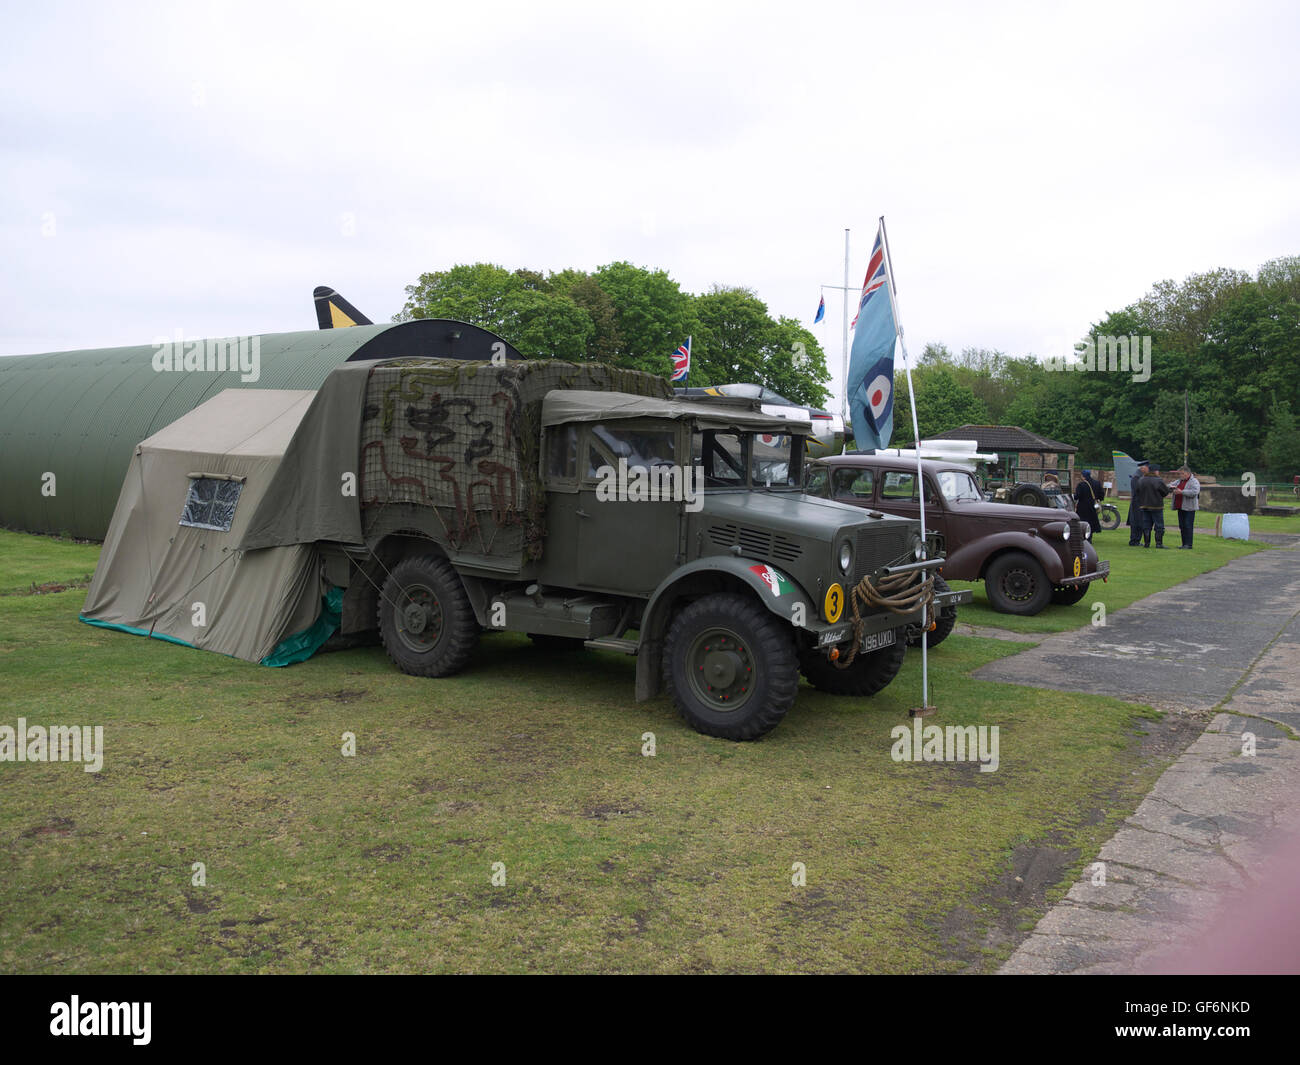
(613, 861)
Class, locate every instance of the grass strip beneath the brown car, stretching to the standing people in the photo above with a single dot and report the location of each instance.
(1136, 573)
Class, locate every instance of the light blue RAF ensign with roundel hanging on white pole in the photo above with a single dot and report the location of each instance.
(870, 386)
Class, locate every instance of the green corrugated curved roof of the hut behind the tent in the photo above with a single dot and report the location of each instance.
(80, 414)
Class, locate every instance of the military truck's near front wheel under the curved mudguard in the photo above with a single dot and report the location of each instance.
(731, 668)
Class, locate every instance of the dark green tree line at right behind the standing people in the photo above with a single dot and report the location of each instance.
(1228, 340)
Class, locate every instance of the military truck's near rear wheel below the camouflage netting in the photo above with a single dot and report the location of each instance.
(426, 620)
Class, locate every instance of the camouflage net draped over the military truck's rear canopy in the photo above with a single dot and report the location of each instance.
(465, 439)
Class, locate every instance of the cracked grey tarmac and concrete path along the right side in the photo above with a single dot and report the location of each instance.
(1224, 821)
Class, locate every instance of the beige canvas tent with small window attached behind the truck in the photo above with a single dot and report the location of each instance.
(174, 568)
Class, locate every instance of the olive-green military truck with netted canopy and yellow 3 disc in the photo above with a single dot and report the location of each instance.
(590, 506)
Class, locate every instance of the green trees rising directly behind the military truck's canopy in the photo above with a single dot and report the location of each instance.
(630, 317)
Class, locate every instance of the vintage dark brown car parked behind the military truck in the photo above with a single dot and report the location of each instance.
(1028, 557)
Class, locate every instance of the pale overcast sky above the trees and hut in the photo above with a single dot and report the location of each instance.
(202, 167)
